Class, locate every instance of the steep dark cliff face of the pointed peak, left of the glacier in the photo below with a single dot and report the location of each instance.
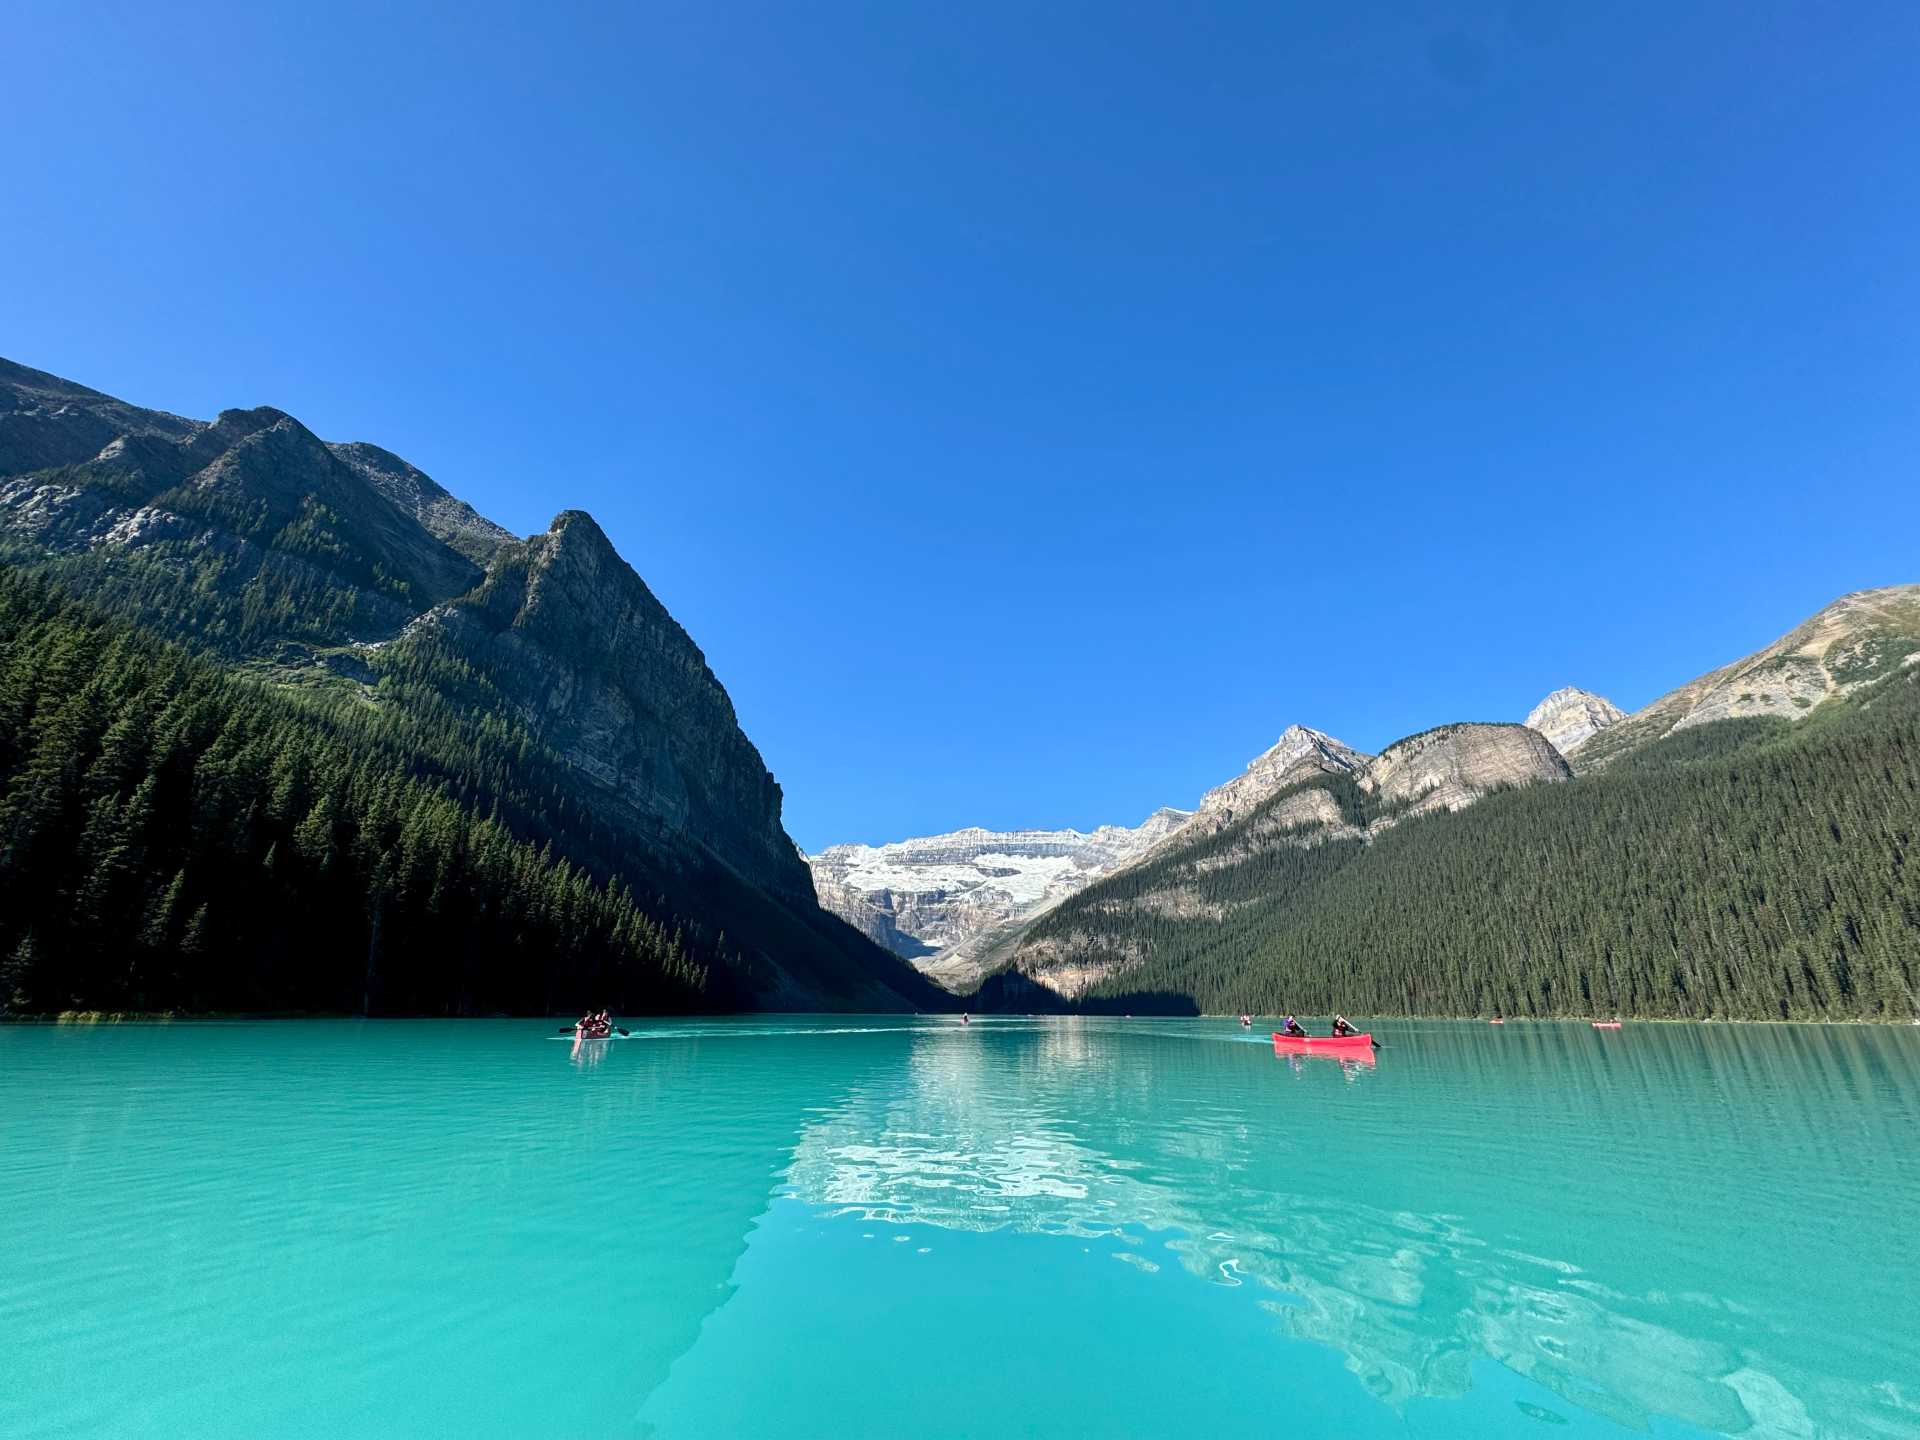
(596, 669)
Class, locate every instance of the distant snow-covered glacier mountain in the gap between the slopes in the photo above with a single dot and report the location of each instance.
(944, 900)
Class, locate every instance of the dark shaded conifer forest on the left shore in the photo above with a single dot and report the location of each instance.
(174, 836)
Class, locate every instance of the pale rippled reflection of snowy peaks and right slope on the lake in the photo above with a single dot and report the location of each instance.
(1595, 1216)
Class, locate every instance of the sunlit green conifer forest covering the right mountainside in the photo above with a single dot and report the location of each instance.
(1748, 869)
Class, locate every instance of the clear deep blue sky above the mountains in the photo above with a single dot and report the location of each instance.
(1028, 408)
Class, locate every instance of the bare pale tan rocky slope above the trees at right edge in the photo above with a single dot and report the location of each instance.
(1854, 642)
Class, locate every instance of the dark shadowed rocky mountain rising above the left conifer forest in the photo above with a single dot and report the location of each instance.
(540, 681)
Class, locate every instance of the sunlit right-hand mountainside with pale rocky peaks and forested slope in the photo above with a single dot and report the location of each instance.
(1287, 844)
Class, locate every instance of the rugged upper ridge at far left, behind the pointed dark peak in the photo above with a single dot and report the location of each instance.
(245, 535)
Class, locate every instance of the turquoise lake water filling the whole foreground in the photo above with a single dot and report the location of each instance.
(907, 1228)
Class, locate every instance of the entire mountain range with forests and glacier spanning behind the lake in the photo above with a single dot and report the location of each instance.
(287, 727)
